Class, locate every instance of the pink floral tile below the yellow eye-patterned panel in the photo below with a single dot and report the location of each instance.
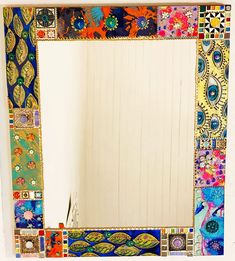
(209, 168)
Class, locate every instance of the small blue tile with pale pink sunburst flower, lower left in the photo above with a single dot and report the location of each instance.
(29, 214)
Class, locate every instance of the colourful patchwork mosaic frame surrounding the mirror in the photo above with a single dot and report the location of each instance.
(209, 25)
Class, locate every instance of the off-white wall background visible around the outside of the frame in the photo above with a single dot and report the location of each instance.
(6, 215)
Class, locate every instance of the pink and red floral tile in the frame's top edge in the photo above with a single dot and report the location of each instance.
(177, 21)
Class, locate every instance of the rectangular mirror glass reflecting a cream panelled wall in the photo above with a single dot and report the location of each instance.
(117, 129)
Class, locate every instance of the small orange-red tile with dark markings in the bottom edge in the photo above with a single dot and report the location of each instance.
(54, 244)
